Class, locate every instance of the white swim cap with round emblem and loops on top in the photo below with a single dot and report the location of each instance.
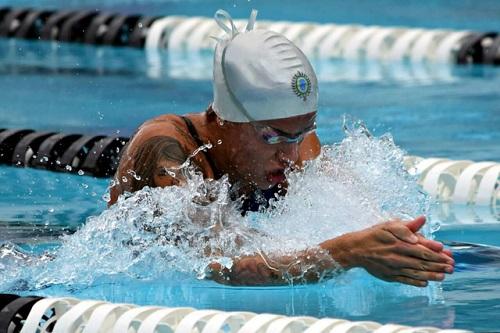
(260, 75)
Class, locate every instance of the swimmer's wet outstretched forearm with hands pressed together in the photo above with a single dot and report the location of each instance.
(391, 251)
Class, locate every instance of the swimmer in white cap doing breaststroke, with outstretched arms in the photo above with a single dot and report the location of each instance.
(262, 121)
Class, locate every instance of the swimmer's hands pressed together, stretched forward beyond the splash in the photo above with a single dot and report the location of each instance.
(393, 251)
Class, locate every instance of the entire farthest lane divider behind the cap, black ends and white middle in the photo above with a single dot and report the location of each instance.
(181, 33)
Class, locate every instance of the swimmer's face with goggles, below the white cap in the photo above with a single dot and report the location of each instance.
(266, 148)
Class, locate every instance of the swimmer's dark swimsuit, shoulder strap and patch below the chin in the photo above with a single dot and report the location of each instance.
(257, 200)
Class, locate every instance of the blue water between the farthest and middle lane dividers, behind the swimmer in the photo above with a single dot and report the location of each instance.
(105, 90)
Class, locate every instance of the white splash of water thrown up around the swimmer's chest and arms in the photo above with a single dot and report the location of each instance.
(352, 185)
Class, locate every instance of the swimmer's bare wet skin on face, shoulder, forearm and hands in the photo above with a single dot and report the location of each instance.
(392, 251)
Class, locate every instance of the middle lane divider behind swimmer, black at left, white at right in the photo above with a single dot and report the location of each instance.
(448, 181)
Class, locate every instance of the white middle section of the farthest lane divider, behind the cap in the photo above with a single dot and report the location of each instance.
(320, 40)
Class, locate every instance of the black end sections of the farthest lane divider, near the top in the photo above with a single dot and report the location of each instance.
(115, 29)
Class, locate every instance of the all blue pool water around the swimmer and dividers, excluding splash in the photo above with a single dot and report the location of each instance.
(430, 111)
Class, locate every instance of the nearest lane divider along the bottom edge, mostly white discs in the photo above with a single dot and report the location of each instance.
(34, 314)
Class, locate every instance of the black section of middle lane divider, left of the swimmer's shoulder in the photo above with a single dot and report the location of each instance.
(93, 155)
